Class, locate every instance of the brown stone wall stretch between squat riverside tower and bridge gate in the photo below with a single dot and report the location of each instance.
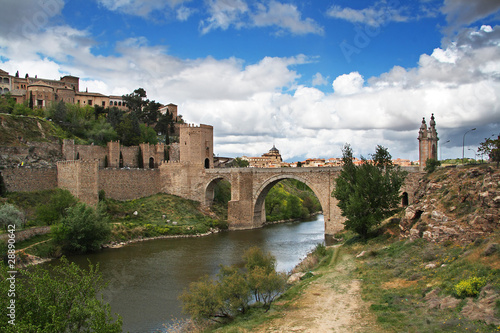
(128, 184)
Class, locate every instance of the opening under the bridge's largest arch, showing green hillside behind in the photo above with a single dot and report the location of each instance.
(285, 198)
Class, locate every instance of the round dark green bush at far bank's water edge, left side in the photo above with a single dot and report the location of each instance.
(82, 230)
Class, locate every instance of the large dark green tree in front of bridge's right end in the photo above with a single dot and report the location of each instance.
(367, 193)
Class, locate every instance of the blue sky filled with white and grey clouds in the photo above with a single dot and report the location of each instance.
(305, 76)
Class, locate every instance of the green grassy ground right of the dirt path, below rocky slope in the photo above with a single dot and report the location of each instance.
(396, 278)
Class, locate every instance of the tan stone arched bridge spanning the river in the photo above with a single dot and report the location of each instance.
(249, 187)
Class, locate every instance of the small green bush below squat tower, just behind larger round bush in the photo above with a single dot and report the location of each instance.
(55, 209)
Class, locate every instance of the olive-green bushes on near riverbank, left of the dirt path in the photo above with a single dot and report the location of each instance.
(230, 295)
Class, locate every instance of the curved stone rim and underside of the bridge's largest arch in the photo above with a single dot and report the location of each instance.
(259, 216)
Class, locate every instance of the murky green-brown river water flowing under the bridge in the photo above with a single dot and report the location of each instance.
(146, 278)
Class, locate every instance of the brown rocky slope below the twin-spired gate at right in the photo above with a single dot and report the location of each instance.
(455, 204)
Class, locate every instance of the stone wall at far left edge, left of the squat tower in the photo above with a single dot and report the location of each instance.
(29, 179)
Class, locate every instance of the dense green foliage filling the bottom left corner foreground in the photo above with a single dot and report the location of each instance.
(63, 299)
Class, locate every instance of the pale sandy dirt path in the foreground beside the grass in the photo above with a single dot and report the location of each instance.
(331, 303)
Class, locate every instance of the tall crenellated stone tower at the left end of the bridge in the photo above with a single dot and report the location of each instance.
(196, 145)
